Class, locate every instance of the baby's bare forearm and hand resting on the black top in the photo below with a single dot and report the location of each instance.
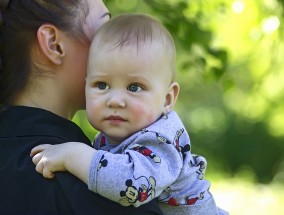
(73, 157)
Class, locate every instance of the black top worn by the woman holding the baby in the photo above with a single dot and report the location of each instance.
(25, 192)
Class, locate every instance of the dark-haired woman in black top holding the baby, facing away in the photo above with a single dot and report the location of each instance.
(44, 47)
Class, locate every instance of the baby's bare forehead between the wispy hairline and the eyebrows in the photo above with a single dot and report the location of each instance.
(145, 61)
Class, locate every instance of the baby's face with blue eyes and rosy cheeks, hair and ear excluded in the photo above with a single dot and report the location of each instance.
(126, 89)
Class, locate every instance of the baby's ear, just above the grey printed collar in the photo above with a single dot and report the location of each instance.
(171, 97)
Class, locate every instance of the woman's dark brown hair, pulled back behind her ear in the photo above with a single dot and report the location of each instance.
(19, 22)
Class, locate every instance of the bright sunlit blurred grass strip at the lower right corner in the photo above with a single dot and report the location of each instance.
(239, 196)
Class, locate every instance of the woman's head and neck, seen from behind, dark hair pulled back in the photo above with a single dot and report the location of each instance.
(39, 38)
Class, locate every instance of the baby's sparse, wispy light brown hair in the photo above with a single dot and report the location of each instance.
(128, 30)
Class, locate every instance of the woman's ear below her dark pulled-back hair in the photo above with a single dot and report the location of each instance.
(48, 37)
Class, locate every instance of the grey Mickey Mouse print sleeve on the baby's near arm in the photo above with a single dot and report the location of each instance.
(140, 173)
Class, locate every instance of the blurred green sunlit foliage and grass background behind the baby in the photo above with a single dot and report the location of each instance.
(229, 59)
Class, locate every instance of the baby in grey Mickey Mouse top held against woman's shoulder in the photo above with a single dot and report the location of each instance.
(143, 150)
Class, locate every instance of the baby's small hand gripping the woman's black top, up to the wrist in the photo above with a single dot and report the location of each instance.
(49, 159)
